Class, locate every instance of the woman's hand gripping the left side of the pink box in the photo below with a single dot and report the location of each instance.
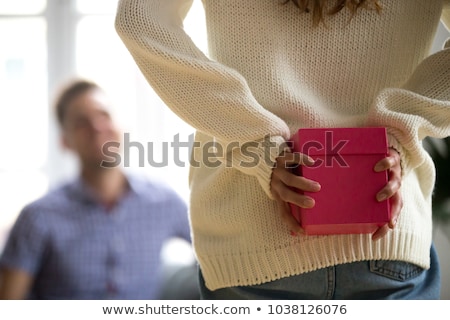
(285, 187)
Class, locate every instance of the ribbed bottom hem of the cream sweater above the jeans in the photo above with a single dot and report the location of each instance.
(310, 254)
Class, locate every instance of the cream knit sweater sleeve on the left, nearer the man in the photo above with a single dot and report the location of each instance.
(209, 96)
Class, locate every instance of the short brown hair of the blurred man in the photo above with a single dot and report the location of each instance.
(69, 93)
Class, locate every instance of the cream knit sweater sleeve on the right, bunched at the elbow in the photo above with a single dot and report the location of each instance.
(420, 108)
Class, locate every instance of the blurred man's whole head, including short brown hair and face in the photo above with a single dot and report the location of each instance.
(85, 118)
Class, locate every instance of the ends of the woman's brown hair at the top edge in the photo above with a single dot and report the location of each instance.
(320, 7)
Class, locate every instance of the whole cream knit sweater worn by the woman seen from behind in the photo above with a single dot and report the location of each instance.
(270, 72)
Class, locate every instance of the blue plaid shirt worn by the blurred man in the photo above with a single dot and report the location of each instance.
(76, 249)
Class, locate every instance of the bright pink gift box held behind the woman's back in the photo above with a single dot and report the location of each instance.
(344, 162)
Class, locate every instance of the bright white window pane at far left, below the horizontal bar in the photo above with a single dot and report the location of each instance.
(23, 79)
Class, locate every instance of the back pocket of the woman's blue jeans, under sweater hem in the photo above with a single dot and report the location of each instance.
(396, 270)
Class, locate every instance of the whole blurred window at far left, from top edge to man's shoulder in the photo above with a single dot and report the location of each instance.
(24, 106)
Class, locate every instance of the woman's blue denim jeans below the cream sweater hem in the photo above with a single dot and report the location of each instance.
(353, 281)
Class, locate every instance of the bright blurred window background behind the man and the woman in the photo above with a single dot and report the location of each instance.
(45, 43)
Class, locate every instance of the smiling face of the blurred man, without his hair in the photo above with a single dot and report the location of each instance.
(88, 125)
